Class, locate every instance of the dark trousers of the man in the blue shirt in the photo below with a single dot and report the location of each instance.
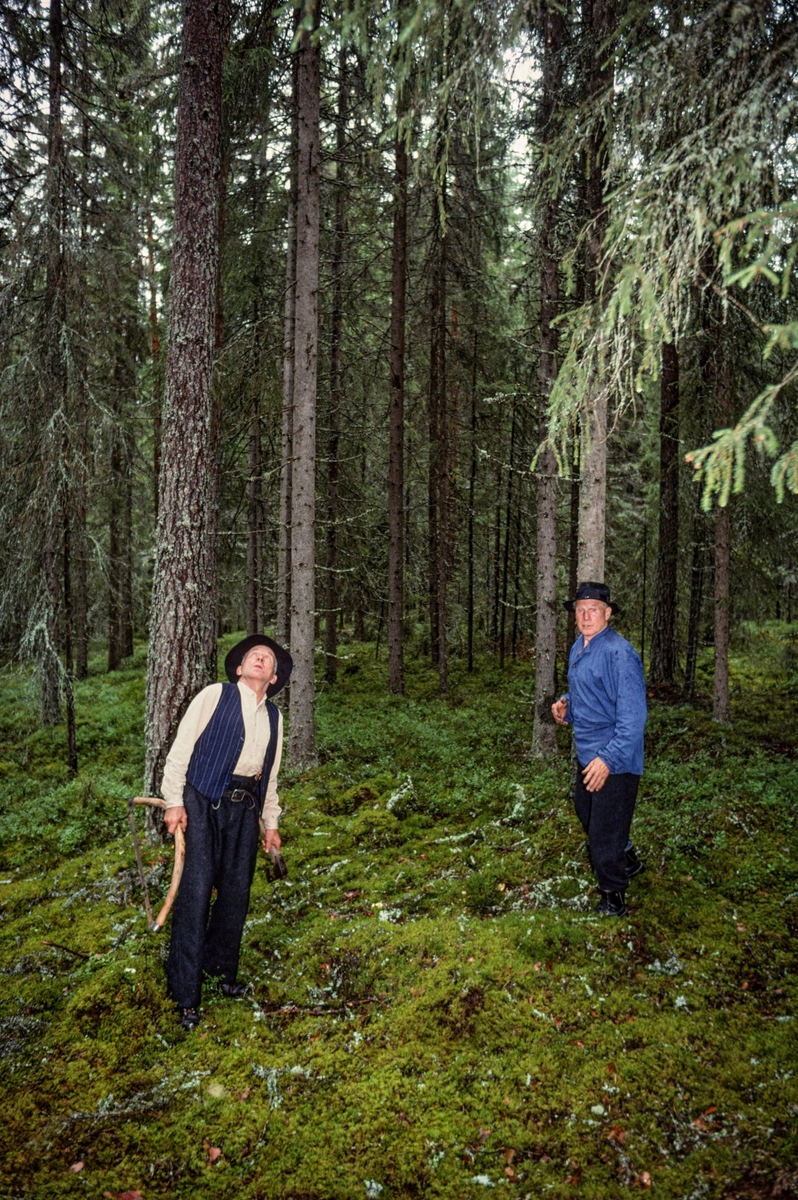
(607, 819)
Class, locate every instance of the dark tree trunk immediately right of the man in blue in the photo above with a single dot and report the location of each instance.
(664, 655)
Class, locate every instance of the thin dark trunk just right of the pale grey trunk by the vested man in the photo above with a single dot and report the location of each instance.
(337, 383)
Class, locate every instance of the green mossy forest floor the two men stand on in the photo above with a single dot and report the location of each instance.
(435, 1010)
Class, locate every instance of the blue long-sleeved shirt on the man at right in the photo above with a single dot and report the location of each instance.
(607, 703)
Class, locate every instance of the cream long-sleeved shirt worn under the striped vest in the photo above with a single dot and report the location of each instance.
(256, 740)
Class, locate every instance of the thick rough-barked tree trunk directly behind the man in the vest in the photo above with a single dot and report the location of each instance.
(183, 633)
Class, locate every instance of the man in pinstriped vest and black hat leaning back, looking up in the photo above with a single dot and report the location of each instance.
(220, 778)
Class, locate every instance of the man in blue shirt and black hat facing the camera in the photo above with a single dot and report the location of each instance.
(607, 706)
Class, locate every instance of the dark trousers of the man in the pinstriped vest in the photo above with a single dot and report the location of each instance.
(221, 853)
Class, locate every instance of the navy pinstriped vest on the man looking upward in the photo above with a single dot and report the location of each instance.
(219, 747)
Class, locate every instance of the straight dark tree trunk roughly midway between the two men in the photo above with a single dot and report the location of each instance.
(397, 430)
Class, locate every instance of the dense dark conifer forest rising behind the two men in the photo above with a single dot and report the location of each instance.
(412, 329)
